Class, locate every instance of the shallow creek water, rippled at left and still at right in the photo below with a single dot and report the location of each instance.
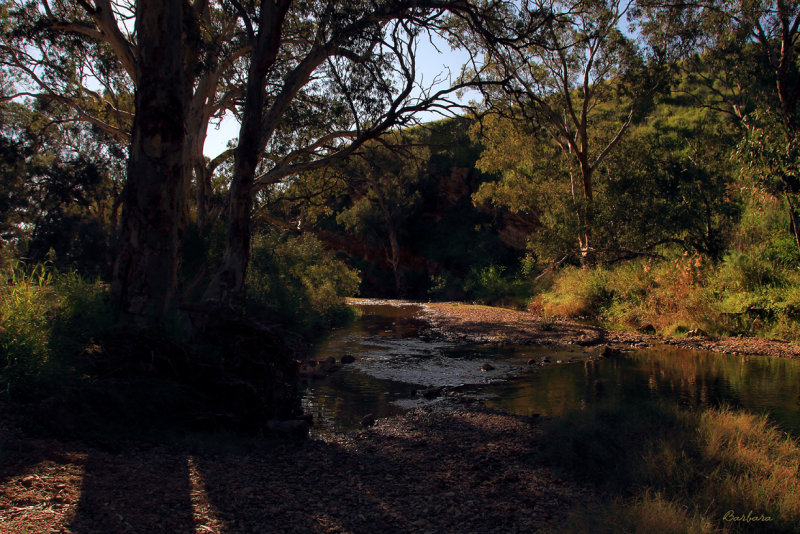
(399, 364)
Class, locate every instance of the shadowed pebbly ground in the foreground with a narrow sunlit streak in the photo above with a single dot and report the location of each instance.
(465, 471)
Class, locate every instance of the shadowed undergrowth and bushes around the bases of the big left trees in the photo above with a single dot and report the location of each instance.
(69, 366)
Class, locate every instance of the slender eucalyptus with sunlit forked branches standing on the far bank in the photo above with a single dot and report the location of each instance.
(585, 68)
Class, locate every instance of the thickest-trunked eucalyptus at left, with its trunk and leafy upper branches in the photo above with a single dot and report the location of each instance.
(96, 60)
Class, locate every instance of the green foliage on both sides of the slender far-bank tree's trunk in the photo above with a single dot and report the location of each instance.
(668, 181)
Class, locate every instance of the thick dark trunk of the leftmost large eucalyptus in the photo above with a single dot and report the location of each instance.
(146, 271)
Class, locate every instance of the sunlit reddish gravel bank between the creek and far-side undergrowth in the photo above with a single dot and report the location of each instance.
(499, 325)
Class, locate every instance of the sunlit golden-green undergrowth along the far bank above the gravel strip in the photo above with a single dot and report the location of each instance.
(740, 295)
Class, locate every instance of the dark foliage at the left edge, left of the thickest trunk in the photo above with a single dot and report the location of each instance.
(57, 205)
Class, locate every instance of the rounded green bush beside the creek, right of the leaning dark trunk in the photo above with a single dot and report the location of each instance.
(295, 279)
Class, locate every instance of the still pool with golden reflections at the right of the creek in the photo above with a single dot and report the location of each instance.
(687, 377)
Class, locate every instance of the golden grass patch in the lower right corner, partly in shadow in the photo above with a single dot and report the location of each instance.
(673, 470)
